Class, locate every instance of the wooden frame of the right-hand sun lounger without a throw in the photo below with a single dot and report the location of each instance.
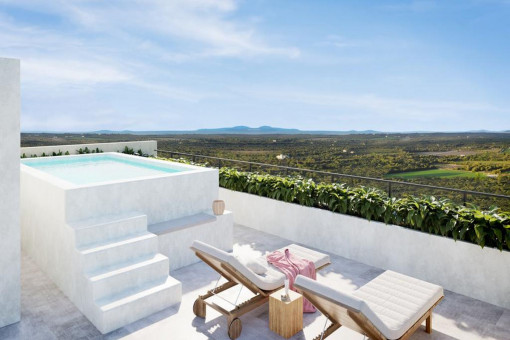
(355, 320)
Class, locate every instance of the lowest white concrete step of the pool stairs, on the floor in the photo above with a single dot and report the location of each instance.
(121, 310)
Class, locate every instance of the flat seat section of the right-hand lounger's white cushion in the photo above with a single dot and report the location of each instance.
(398, 301)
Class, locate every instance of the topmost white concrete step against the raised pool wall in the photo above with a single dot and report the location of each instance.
(95, 230)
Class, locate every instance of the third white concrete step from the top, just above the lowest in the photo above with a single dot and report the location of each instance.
(116, 279)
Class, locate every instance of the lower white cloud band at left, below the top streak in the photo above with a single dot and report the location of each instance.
(60, 64)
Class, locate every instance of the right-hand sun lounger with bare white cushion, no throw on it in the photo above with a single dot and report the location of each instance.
(391, 306)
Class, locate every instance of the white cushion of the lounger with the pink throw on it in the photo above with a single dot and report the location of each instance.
(270, 280)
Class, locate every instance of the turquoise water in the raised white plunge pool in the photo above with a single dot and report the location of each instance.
(90, 169)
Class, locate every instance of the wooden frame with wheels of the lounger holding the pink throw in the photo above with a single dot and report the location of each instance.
(233, 278)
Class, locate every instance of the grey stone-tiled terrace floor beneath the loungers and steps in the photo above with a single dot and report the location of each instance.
(48, 314)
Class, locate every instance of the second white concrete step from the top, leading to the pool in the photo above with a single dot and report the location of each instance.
(119, 251)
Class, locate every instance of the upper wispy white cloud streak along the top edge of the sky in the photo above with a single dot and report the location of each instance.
(204, 28)
